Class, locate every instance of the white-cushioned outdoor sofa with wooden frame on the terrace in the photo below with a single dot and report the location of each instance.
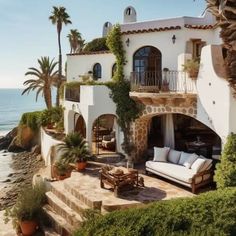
(187, 169)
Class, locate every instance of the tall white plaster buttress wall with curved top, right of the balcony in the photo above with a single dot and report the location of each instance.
(216, 106)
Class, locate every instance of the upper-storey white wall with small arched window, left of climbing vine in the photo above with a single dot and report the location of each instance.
(78, 65)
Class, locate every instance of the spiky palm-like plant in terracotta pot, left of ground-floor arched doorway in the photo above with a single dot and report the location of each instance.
(75, 150)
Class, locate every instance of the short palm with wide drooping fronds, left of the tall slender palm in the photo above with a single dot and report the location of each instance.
(46, 77)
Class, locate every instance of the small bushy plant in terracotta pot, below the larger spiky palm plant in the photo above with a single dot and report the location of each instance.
(62, 170)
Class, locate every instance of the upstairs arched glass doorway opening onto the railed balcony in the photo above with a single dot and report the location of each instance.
(147, 66)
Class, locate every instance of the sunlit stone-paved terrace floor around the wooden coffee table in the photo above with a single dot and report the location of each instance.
(88, 184)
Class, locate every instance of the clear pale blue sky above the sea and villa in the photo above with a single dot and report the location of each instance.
(26, 34)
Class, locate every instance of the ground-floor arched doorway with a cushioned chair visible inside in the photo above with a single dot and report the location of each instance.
(104, 134)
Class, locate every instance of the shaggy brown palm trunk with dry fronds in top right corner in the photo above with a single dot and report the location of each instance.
(225, 13)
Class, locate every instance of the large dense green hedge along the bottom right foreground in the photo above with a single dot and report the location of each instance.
(212, 213)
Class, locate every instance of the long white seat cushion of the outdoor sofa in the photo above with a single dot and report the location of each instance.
(175, 171)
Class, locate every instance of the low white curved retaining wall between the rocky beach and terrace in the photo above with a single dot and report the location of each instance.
(46, 143)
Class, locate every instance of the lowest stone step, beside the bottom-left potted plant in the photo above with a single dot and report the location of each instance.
(59, 224)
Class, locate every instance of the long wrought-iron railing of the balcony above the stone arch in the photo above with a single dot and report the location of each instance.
(162, 81)
